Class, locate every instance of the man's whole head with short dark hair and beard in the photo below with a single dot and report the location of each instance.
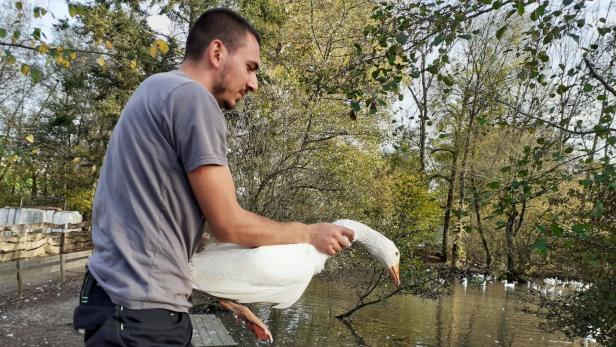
(229, 46)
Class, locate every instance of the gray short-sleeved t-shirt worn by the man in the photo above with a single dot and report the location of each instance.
(146, 220)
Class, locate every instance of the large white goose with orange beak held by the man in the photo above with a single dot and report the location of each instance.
(275, 274)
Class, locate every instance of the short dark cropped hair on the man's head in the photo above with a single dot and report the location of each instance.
(218, 23)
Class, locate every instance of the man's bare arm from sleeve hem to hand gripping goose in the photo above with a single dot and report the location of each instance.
(215, 191)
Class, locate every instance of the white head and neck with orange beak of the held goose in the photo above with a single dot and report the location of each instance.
(382, 248)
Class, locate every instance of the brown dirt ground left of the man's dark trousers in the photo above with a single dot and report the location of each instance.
(42, 315)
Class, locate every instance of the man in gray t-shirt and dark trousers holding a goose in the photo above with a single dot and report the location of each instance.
(164, 172)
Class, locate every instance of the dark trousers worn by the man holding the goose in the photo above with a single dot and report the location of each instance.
(108, 324)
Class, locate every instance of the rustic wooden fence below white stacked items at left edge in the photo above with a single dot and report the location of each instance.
(43, 246)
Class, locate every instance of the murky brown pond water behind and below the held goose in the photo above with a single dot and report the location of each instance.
(468, 317)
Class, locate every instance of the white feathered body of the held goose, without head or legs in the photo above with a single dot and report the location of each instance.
(271, 274)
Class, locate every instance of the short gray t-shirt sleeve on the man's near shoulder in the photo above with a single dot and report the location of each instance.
(198, 129)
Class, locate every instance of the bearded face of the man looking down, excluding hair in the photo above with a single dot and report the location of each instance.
(238, 75)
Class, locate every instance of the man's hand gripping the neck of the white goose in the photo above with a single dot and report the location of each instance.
(330, 238)
